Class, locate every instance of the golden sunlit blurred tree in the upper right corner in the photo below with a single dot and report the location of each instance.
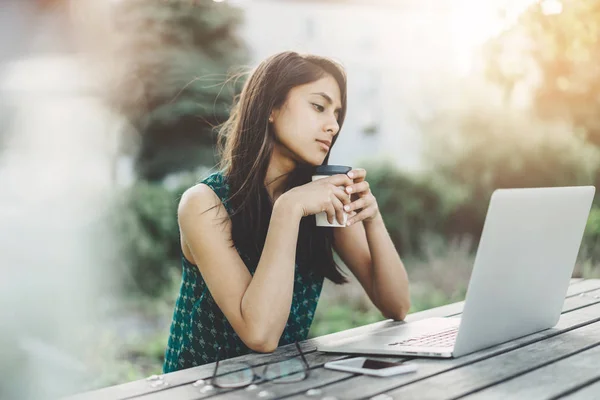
(562, 41)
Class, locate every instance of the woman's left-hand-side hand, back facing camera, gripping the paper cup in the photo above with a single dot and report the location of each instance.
(323, 195)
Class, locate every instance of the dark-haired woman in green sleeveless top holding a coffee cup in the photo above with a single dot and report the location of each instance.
(253, 265)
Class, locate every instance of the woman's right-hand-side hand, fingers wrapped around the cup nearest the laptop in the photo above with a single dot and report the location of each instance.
(364, 205)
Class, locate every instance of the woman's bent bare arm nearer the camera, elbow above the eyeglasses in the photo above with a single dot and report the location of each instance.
(256, 308)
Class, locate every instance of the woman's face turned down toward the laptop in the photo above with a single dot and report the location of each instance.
(306, 123)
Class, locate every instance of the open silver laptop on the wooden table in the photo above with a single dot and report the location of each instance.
(526, 255)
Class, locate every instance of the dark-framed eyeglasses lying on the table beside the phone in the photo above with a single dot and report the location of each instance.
(238, 374)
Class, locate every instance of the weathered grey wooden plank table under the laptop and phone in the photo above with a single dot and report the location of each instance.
(562, 362)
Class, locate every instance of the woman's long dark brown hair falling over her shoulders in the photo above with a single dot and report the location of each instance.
(246, 142)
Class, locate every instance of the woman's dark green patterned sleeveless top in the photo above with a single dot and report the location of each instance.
(199, 327)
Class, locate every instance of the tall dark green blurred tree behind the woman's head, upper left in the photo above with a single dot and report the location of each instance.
(174, 57)
